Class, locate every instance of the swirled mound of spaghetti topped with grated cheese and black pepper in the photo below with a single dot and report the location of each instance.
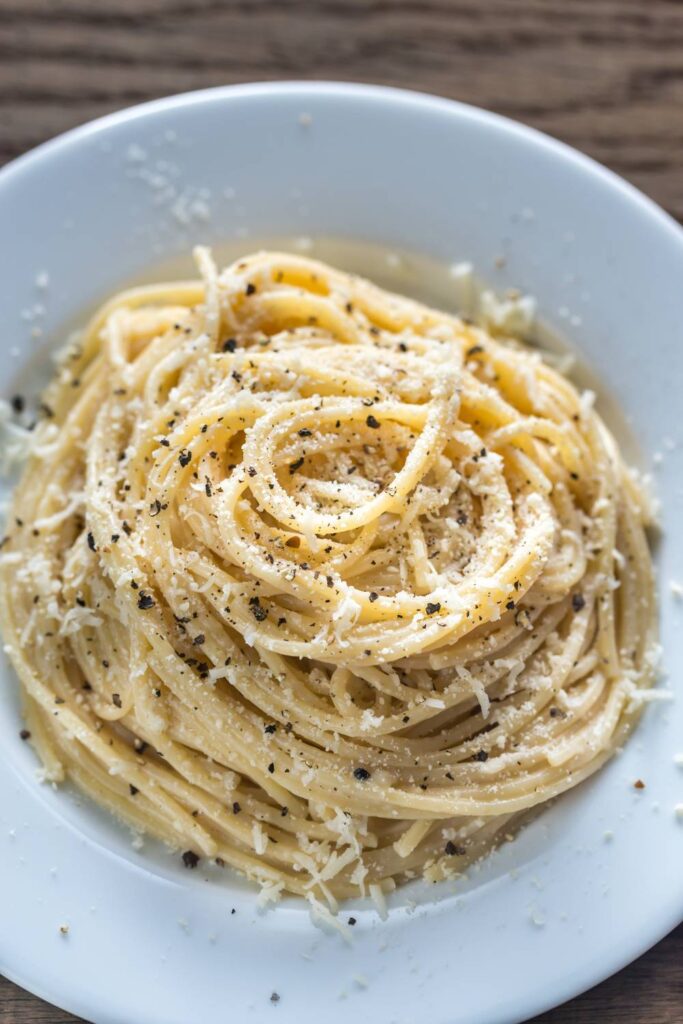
(320, 583)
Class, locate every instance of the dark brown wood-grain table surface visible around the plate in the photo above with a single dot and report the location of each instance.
(606, 76)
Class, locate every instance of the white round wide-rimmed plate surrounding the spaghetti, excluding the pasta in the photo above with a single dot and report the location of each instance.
(563, 908)
